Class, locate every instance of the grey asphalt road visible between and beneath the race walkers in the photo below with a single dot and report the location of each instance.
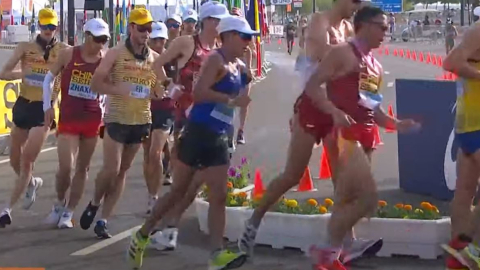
(28, 243)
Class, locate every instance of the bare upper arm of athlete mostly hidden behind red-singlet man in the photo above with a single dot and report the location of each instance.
(316, 37)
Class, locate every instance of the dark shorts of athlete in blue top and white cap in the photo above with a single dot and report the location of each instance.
(200, 147)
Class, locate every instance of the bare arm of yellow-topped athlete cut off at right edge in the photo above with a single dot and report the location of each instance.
(469, 48)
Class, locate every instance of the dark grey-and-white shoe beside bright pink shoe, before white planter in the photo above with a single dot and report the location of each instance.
(360, 248)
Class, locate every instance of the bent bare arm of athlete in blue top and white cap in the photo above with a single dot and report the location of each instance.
(202, 91)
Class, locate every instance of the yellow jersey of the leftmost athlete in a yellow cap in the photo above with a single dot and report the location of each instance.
(35, 67)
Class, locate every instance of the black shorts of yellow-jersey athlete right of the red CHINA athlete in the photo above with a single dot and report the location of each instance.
(128, 134)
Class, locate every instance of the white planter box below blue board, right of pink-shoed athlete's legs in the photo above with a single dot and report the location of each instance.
(407, 237)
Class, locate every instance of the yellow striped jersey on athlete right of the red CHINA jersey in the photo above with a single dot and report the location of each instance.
(133, 109)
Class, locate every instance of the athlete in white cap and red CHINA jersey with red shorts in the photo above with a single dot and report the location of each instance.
(80, 118)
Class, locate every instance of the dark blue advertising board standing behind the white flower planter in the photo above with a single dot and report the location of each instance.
(427, 159)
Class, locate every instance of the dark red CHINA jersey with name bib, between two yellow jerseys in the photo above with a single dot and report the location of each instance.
(79, 102)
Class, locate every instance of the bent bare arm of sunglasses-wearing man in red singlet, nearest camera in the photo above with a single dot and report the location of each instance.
(337, 62)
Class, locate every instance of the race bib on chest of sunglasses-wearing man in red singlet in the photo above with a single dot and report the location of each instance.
(369, 93)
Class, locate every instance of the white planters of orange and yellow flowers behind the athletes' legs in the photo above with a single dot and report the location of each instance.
(405, 230)
